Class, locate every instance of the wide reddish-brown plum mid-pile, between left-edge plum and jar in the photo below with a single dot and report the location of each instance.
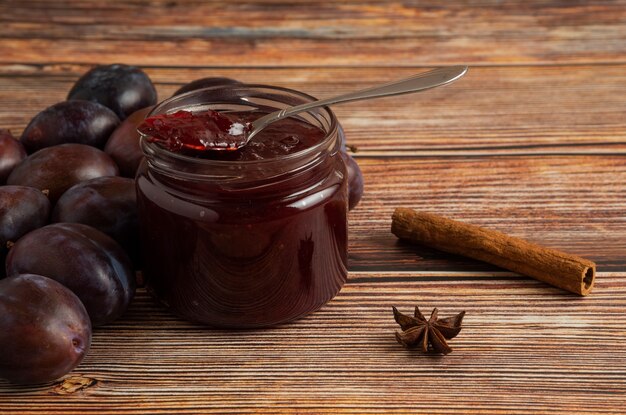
(58, 168)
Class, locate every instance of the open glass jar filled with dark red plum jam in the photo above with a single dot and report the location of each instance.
(244, 243)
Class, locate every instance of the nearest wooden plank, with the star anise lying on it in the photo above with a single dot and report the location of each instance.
(525, 347)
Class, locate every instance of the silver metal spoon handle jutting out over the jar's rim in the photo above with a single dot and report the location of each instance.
(416, 83)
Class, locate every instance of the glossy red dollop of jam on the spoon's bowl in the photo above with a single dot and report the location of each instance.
(197, 131)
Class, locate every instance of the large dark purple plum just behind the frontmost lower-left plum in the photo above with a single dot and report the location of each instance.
(85, 260)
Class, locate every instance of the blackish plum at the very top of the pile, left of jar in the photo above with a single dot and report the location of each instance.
(122, 88)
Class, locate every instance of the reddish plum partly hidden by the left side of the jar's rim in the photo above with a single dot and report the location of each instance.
(123, 145)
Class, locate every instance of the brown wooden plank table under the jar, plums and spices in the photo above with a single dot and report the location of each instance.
(532, 142)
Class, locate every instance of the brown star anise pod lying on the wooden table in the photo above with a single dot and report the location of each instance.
(429, 335)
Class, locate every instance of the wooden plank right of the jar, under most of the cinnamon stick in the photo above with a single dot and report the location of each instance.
(573, 203)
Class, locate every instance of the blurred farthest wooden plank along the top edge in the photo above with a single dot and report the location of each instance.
(255, 33)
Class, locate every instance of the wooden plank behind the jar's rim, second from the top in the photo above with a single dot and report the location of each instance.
(492, 111)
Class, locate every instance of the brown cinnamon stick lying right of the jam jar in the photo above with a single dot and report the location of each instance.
(566, 271)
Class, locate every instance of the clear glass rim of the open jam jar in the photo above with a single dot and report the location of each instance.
(155, 149)
